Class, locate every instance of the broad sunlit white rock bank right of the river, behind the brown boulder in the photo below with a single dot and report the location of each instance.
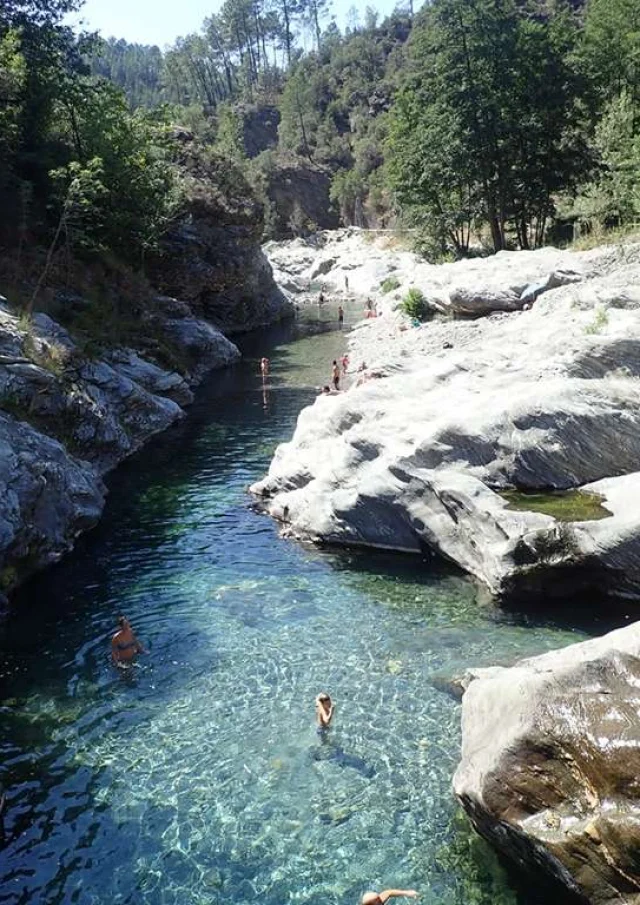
(538, 391)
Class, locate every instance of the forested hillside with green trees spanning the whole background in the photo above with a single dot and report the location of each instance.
(491, 124)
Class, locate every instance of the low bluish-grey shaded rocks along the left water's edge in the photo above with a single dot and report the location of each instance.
(65, 420)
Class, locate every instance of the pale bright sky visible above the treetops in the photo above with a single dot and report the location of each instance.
(162, 21)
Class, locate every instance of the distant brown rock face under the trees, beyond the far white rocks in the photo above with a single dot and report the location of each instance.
(299, 192)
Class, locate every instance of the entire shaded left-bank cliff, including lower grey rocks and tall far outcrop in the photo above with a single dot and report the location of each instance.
(74, 401)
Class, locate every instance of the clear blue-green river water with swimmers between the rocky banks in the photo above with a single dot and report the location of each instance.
(200, 777)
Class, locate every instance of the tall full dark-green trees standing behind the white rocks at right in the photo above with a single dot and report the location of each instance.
(484, 131)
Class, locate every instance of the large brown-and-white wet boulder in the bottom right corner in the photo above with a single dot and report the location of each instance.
(550, 768)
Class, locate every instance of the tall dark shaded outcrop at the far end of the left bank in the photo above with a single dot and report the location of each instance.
(212, 258)
